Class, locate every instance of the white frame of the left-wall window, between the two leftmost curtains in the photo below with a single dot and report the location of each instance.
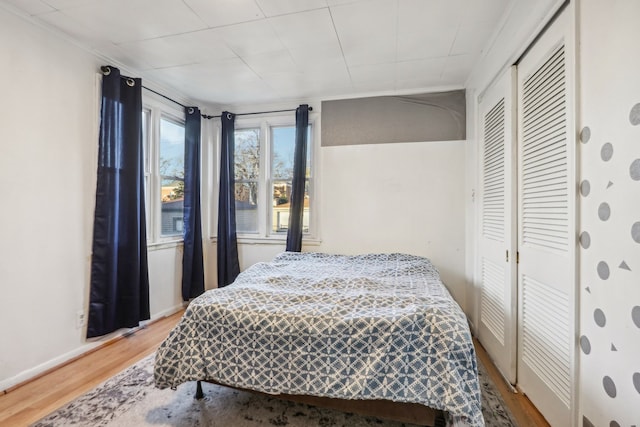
(157, 110)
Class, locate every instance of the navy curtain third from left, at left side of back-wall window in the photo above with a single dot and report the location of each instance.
(228, 263)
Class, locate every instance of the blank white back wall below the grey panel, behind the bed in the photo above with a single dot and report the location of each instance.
(402, 197)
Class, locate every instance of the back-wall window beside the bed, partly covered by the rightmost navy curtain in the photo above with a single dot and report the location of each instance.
(264, 153)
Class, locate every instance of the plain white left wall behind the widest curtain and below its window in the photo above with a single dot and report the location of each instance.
(48, 156)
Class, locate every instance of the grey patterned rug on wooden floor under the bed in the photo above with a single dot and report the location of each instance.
(130, 400)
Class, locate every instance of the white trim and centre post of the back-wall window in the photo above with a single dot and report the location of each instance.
(264, 233)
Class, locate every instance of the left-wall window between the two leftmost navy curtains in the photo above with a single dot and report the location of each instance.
(163, 136)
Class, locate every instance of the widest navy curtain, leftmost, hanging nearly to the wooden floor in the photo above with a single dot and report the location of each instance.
(119, 295)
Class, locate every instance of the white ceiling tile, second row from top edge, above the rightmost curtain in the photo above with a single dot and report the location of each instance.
(305, 29)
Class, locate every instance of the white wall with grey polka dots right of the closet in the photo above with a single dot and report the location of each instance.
(609, 248)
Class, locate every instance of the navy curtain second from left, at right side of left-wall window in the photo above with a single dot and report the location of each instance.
(192, 264)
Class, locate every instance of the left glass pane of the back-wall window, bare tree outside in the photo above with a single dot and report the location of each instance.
(247, 172)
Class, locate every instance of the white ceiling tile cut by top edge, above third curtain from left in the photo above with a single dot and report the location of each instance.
(217, 13)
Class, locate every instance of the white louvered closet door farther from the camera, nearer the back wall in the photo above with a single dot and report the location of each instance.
(496, 262)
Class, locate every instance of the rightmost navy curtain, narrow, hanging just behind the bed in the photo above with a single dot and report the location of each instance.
(296, 208)
